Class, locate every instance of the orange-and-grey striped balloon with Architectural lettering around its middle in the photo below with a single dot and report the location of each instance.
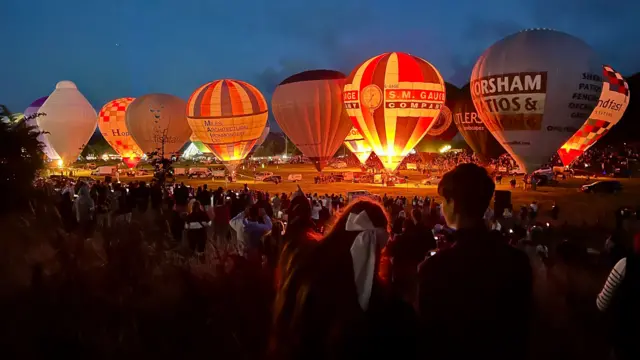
(228, 116)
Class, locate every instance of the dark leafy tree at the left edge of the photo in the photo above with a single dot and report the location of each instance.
(21, 158)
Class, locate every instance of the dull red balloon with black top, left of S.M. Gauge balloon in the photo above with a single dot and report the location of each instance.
(308, 107)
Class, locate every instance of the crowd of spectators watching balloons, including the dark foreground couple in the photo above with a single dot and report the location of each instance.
(377, 276)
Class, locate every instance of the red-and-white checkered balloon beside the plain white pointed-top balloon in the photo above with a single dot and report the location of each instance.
(113, 126)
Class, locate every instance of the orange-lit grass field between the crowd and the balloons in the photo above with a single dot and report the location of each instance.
(575, 206)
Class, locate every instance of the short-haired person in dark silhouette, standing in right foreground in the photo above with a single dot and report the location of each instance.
(475, 297)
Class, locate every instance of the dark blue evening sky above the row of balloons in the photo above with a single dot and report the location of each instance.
(119, 48)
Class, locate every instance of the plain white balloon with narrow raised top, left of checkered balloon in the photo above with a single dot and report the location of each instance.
(70, 121)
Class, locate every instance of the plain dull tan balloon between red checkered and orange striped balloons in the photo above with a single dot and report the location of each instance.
(156, 121)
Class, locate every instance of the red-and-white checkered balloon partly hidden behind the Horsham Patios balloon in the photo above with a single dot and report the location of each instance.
(611, 106)
